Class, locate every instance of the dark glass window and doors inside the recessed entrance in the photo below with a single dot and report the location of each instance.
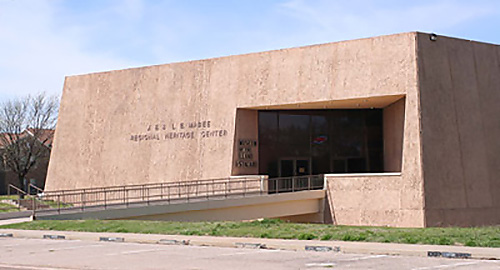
(333, 141)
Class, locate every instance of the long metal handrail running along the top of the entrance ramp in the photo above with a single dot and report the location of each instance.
(82, 199)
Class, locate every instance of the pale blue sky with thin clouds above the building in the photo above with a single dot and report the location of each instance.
(42, 41)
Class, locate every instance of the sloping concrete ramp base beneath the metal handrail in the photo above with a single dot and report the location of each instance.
(294, 206)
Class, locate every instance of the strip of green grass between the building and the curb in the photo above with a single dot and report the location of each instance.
(269, 228)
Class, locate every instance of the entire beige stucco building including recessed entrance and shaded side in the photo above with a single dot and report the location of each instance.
(404, 127)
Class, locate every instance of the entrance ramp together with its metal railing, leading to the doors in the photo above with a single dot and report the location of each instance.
(237, 198)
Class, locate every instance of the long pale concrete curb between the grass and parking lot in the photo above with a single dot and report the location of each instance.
(457, 252)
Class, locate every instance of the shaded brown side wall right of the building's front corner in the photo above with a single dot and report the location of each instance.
(460, 97)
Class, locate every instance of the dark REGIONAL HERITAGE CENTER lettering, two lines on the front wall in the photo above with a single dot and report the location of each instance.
(179, 130)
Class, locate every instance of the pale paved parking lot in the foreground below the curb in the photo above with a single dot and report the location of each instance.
(43, 254)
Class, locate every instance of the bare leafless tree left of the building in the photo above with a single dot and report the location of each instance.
(24, 136)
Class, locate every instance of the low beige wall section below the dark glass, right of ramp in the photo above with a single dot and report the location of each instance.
(375, 200)
